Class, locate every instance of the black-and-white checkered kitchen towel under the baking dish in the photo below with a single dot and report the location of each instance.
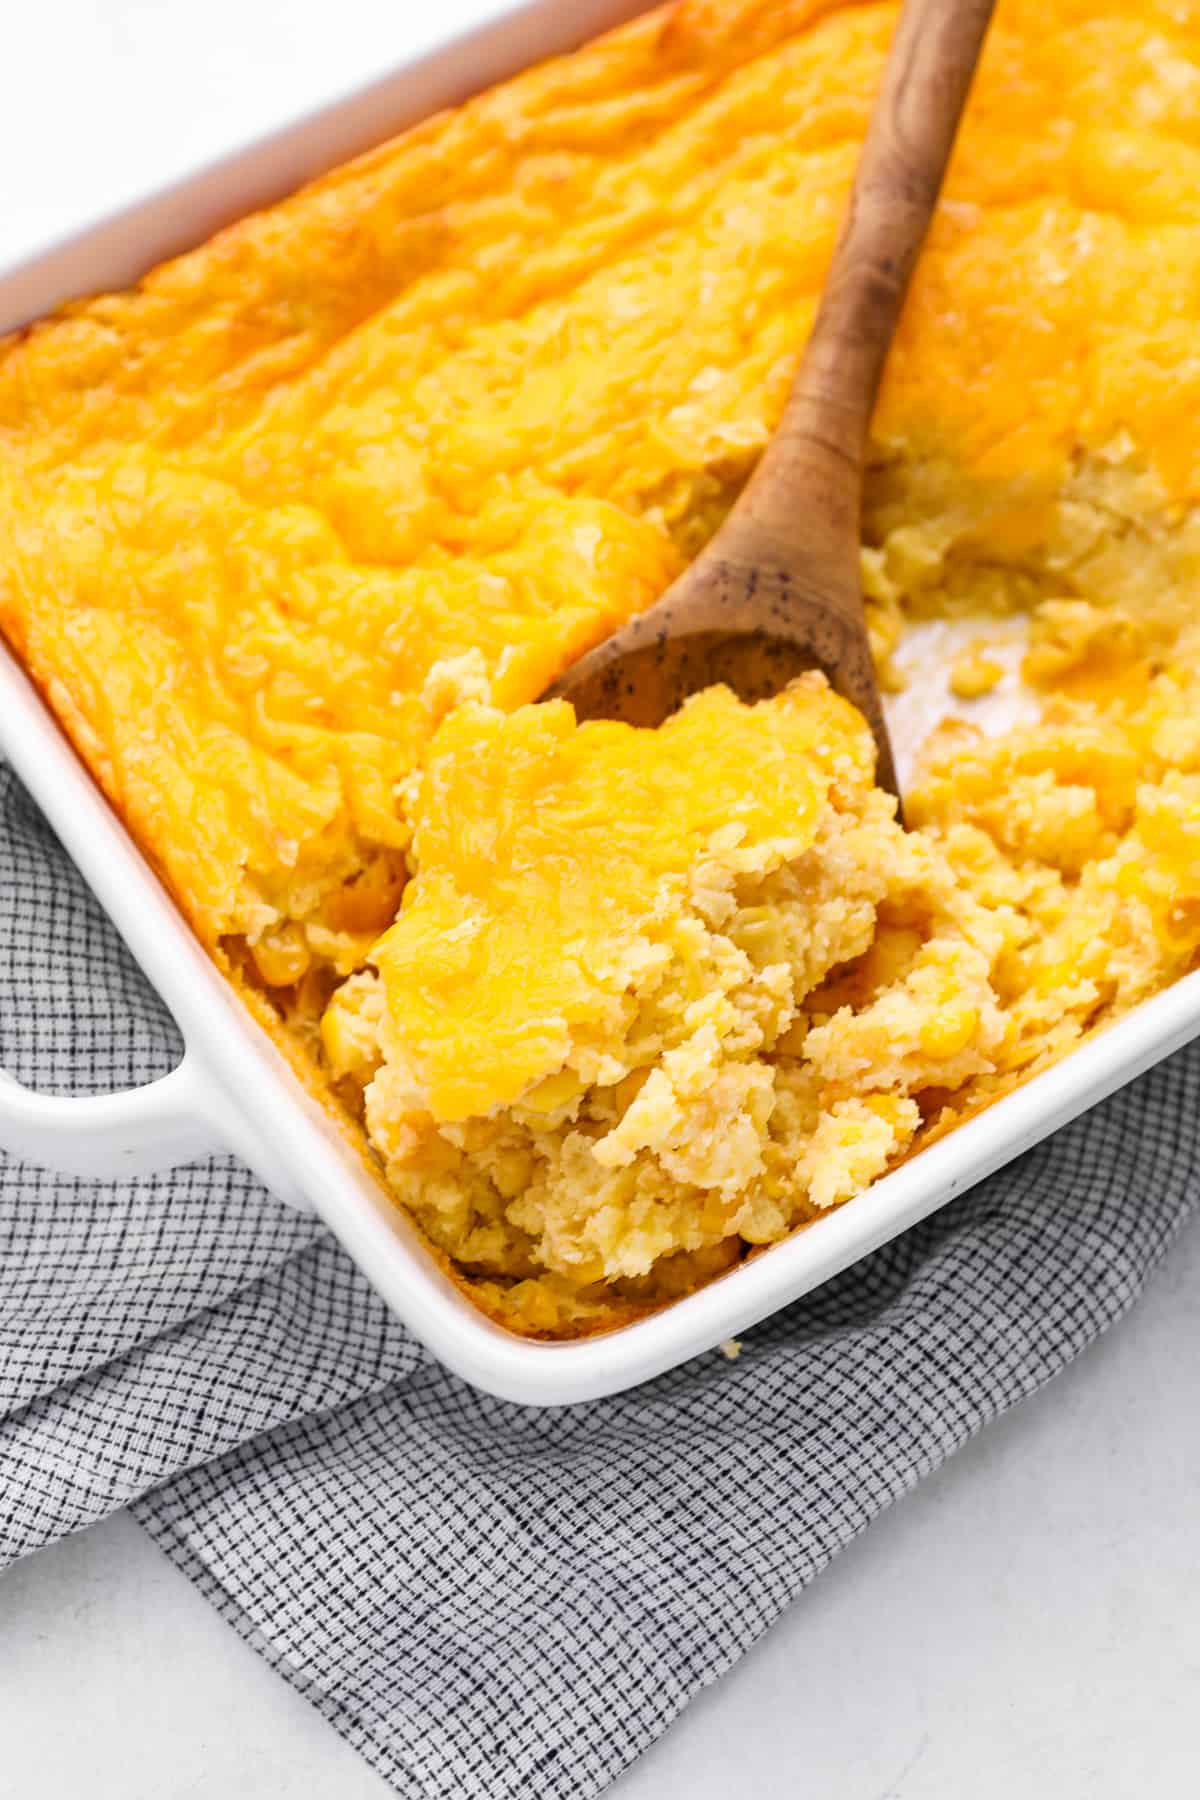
(492, 1601)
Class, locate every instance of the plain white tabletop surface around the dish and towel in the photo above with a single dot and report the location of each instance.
(1026, 1624)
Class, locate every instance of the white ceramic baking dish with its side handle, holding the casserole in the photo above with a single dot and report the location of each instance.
(235, 1092)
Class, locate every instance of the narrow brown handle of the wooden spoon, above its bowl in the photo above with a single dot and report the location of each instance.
(809, 483)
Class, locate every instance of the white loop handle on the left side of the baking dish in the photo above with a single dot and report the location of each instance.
(134, 1133)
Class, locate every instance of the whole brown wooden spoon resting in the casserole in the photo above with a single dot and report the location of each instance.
(776, 591)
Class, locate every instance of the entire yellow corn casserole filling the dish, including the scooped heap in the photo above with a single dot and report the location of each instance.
(296, 534)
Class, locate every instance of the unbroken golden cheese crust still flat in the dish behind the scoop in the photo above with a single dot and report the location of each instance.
(479, 391)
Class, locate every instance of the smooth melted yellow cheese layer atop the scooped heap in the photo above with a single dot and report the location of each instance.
(544, 847)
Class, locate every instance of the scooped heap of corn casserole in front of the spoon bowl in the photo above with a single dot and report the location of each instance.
(604, 1030)
